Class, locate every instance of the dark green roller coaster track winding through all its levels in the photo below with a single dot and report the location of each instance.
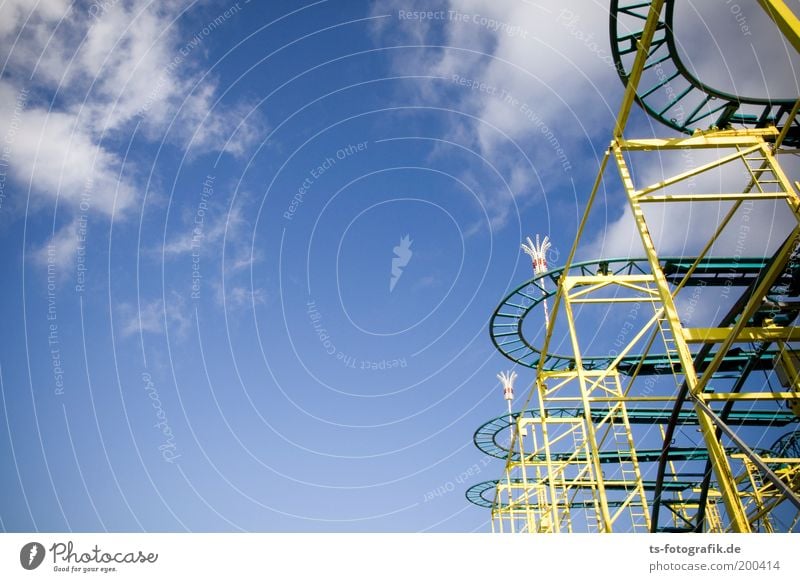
(648, 60)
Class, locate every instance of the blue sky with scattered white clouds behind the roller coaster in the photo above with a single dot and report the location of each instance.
(200, 207)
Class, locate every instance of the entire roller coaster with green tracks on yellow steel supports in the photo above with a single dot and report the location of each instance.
(667, 389)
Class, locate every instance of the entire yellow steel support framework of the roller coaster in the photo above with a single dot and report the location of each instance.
(585, 471)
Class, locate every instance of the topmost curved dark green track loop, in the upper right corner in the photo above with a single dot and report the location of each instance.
(670, 93)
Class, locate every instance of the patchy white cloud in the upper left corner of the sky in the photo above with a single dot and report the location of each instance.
(93, 72)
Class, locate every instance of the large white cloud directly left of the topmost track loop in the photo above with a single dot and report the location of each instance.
(539, 84)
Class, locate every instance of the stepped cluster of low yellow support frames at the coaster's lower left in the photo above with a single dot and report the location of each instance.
(538, 489)
